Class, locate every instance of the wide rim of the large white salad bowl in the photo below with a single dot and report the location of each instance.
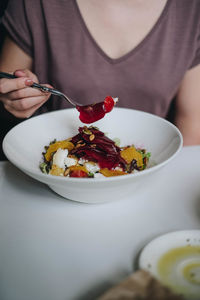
(60, 179)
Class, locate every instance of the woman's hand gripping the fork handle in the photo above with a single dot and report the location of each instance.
(18, 97)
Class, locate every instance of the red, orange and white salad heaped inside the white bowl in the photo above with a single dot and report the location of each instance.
(91, 154)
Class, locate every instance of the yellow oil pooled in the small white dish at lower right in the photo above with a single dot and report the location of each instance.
(179, 269)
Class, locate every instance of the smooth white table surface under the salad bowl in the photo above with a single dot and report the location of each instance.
(55, 249)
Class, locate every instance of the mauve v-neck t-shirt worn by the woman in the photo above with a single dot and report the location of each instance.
(65, 54)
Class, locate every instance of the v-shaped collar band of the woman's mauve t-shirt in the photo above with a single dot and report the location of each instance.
(131, 52)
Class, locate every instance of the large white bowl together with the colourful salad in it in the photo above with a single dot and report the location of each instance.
(100, 156)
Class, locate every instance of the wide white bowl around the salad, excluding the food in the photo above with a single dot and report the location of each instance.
(24, 144)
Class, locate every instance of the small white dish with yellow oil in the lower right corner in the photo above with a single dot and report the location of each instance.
(174, 259)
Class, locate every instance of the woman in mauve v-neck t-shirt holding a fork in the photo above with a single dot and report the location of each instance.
(144, 52)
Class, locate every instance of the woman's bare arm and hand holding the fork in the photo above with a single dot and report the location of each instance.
(15, 94)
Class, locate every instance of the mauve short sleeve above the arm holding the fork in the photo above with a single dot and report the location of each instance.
(15, 20)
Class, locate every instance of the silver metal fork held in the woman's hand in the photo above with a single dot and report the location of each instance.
(43, 89)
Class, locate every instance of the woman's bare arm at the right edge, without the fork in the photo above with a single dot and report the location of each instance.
(188, 107)
